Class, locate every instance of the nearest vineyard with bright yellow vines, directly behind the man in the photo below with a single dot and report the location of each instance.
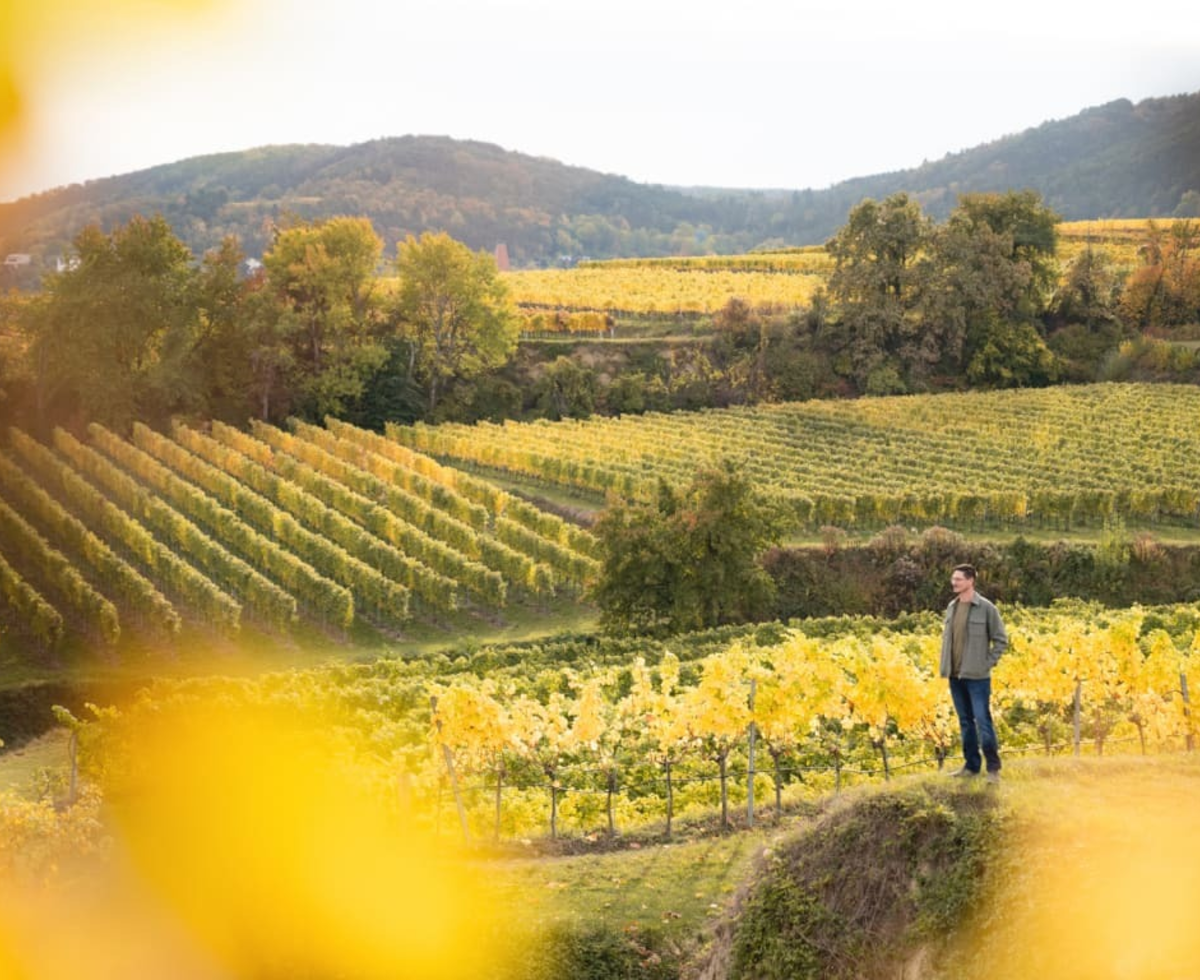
(578, 736)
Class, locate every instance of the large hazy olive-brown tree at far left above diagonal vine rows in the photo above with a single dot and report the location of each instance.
(112, 335)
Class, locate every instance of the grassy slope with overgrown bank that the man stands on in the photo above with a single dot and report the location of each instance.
(1073, 868)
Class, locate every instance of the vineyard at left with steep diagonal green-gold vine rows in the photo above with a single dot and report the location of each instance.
(213, 530)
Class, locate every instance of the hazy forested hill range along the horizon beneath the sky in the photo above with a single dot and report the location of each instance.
(1118, 160)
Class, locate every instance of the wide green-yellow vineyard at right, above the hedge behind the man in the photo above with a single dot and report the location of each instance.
(1051, 458)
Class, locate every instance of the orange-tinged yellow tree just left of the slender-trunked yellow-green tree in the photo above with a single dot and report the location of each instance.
(323, 280)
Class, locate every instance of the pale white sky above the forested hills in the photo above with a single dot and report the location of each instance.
(752, 94)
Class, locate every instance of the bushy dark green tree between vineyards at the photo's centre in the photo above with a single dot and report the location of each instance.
(688, 561)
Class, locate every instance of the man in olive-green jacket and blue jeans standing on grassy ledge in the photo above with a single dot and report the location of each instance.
(973, 640)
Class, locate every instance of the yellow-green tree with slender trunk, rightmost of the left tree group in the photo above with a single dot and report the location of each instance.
(454, 311)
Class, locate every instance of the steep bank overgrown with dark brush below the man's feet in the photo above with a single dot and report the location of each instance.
(874, 885)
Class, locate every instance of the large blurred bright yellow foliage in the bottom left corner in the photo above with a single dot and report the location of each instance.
(245, 847)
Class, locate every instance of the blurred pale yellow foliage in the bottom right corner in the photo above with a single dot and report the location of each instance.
(1111, 889)
